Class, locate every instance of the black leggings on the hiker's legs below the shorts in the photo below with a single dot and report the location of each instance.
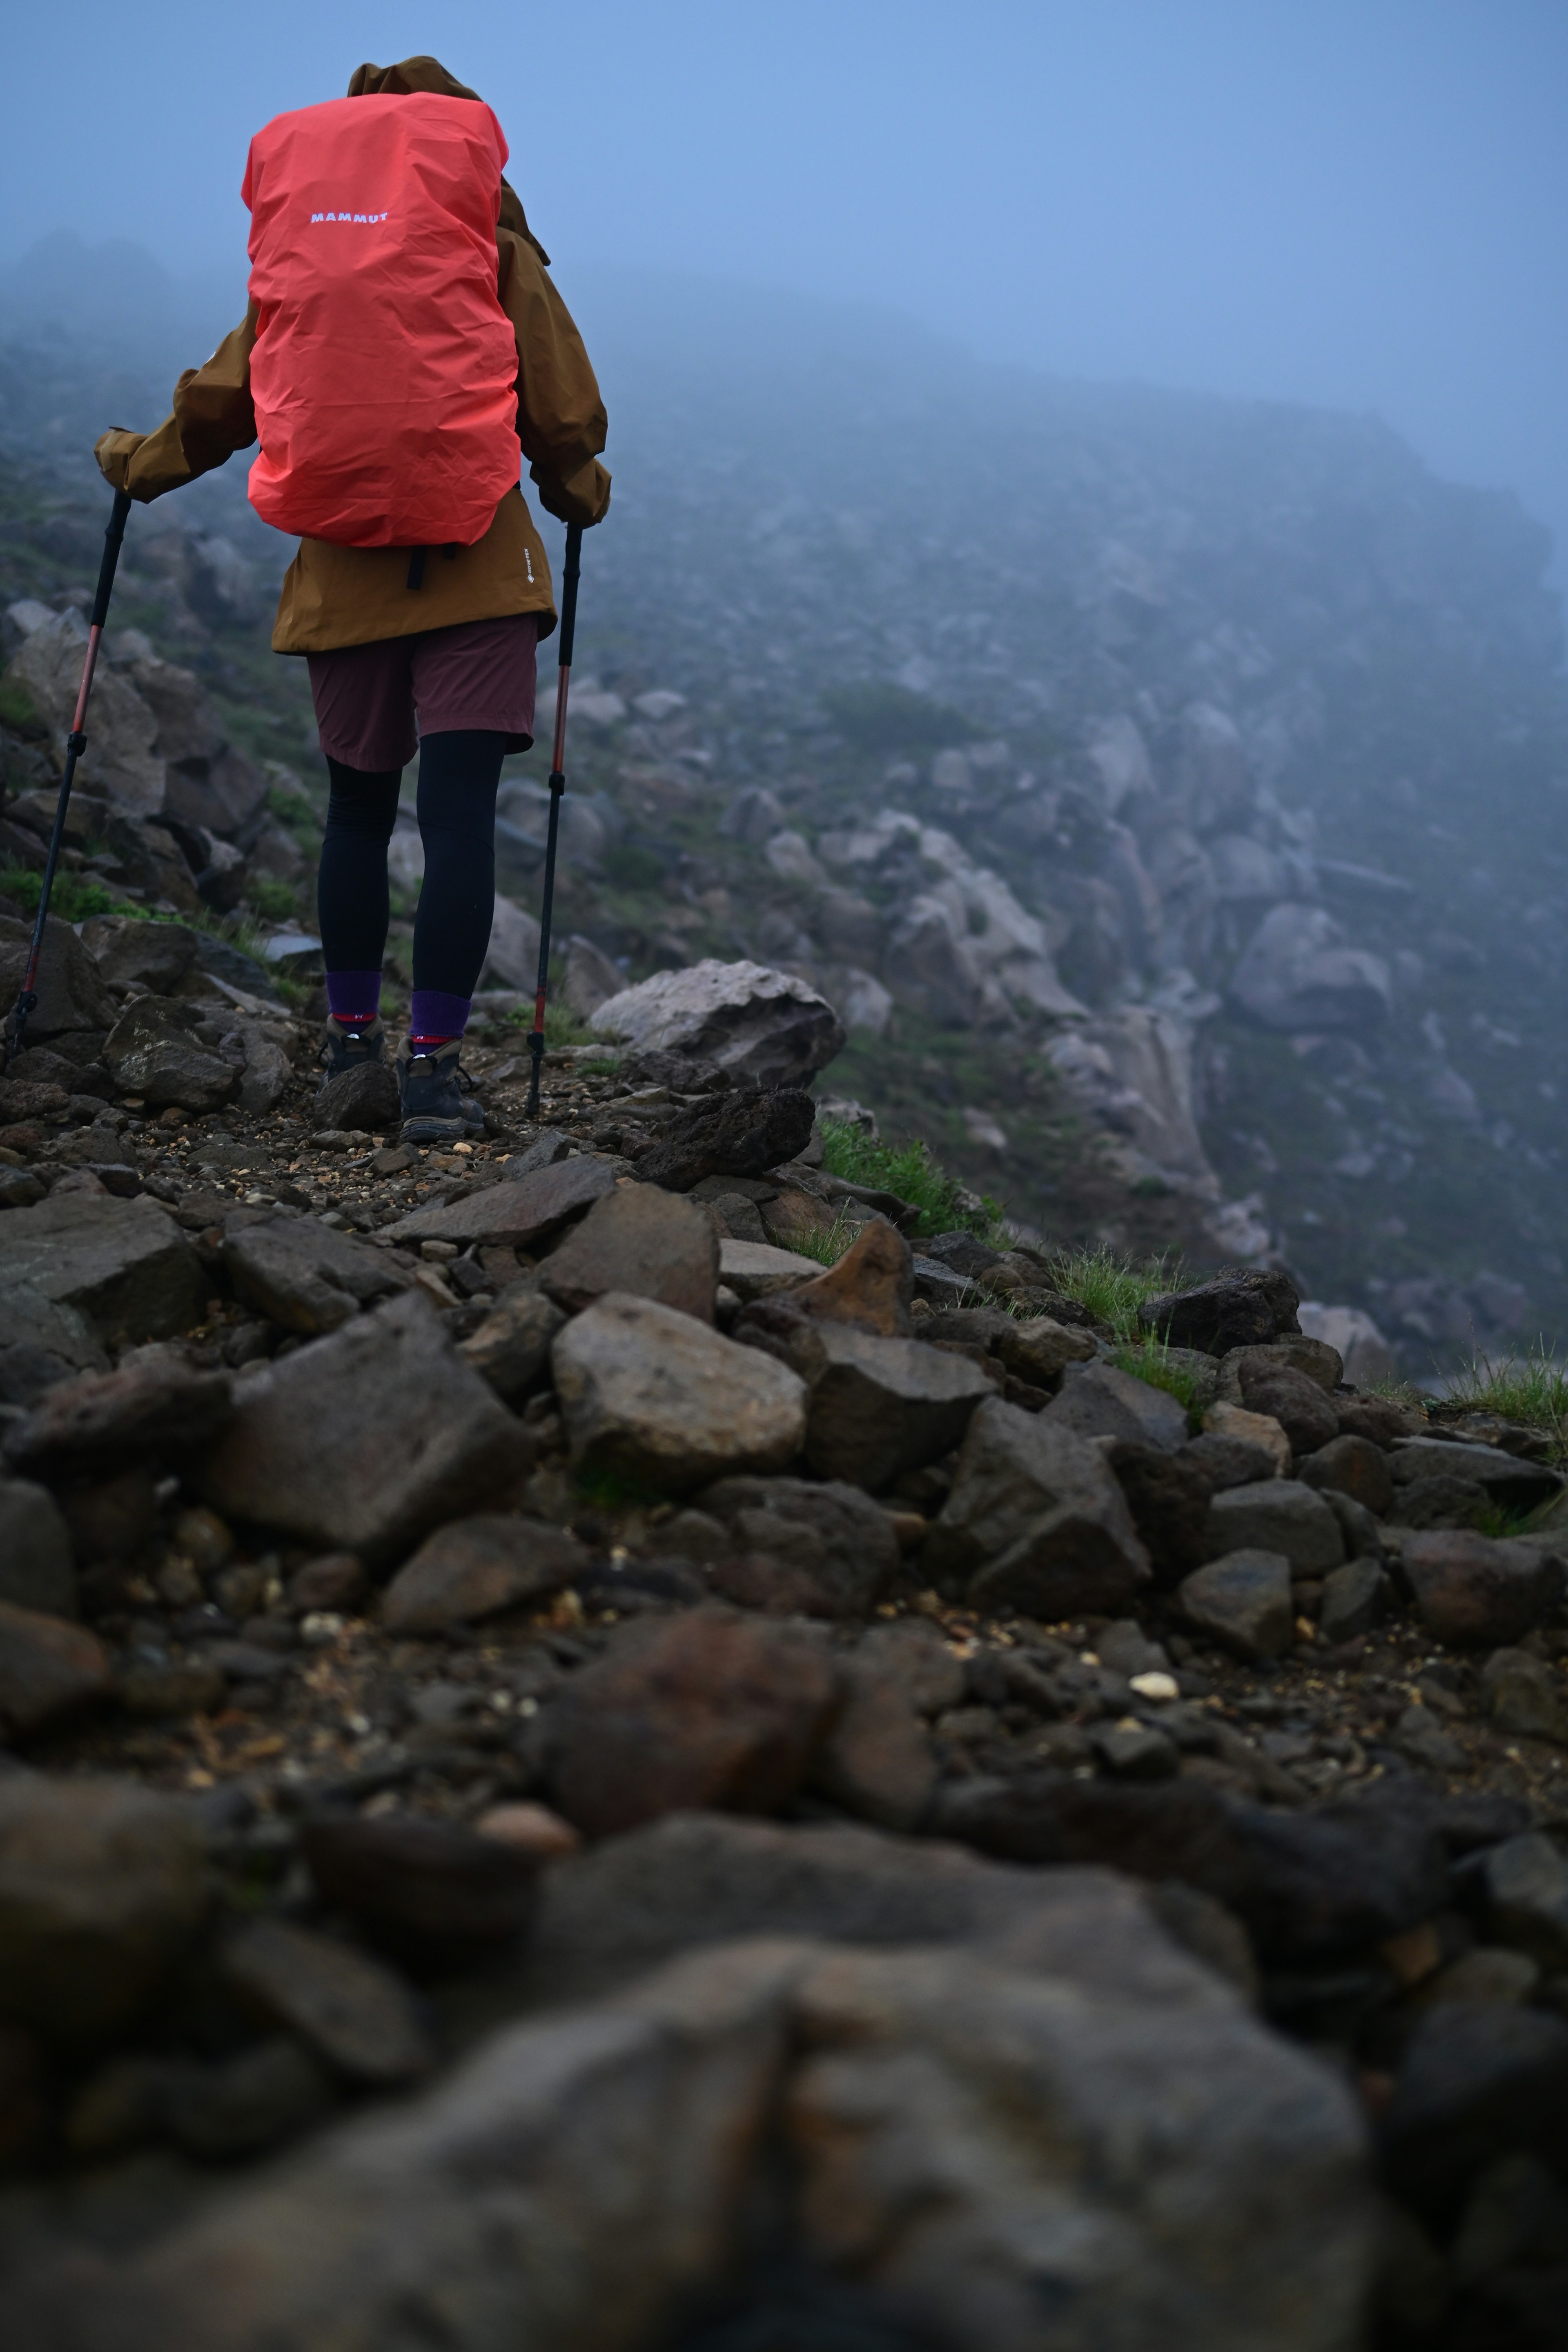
(457, 822)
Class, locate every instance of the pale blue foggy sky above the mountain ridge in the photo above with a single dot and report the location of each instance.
(1348, 206)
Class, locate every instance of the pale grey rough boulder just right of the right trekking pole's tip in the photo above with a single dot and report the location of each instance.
(749, 1020)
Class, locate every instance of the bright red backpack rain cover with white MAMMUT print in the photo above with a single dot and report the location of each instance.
(384, 370)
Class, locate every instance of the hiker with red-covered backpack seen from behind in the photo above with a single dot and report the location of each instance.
(420, 589)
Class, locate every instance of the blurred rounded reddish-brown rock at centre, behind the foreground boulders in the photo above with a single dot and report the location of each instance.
(695, 1711)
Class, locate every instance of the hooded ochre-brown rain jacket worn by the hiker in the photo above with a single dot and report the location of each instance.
(354, 596)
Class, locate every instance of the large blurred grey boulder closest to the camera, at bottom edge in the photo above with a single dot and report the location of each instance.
(967, 2146)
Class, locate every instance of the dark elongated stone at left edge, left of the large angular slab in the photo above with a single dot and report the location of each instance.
(123, 1419)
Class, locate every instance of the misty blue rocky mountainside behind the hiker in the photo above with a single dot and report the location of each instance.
(1167, 791)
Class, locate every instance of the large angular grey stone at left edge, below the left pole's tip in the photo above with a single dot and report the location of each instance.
(79, 1274)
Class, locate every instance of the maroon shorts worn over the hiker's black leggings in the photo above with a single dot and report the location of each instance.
(373, 702)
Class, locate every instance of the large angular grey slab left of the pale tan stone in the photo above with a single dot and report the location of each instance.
(368, 1438)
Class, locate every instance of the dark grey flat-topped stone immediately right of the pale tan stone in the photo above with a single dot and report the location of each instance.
(880, 1405)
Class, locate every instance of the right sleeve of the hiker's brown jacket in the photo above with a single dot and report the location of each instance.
(561, 417)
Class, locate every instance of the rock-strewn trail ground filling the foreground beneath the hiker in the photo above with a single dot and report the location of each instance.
(587, 1713)
